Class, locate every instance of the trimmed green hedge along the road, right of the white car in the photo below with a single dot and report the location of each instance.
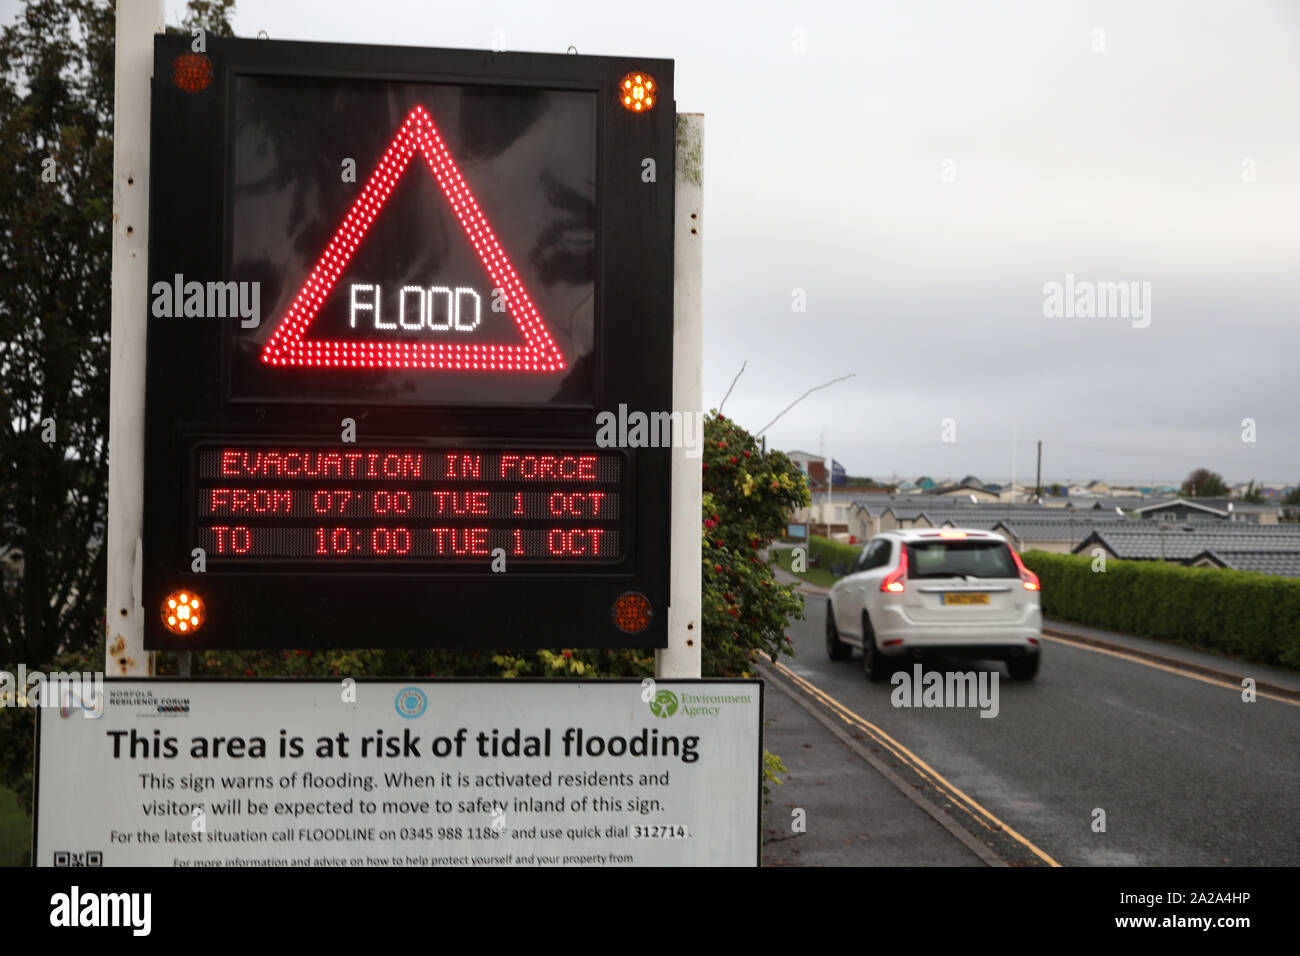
(1246, 615)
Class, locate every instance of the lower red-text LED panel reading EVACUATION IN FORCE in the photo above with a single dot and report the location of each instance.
(397, 507)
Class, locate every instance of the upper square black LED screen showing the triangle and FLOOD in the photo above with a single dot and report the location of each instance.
(434, 244)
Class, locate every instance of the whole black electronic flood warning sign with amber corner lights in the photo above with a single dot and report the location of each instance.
(391, 292)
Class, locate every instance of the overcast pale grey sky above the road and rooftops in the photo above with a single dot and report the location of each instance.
(1120, 155)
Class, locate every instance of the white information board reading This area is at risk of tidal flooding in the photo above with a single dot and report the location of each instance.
(268, 773)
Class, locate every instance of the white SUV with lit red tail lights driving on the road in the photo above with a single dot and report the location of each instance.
(943, 590)
